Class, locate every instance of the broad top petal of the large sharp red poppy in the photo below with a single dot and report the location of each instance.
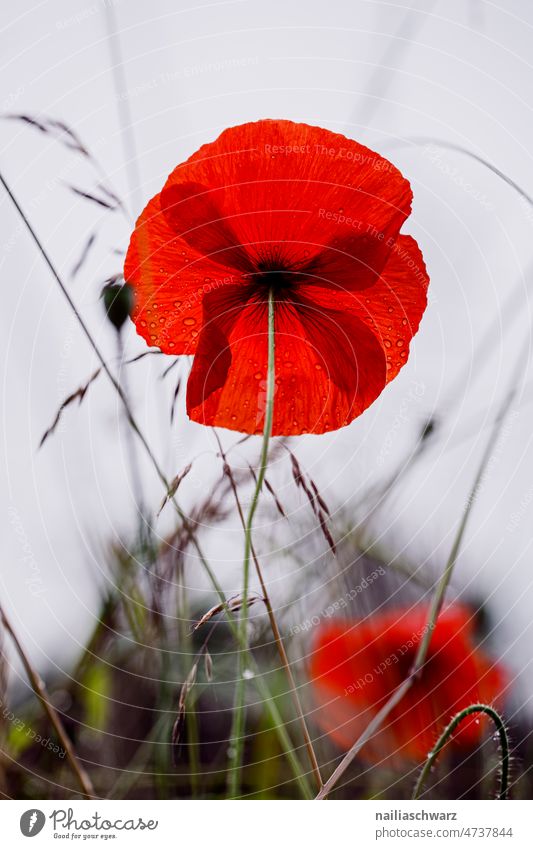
(291, 189)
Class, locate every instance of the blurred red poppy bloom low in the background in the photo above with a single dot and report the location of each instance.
(356, 666)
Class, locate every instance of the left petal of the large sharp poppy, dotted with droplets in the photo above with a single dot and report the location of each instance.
(169, 283)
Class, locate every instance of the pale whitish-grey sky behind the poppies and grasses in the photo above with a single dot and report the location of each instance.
(383, 73)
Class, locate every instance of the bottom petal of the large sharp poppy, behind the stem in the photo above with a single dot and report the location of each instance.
(329, 367)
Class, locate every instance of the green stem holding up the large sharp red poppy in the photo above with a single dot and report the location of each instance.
(239, 716)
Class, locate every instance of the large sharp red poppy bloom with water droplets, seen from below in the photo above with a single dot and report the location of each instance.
(315, 218)
